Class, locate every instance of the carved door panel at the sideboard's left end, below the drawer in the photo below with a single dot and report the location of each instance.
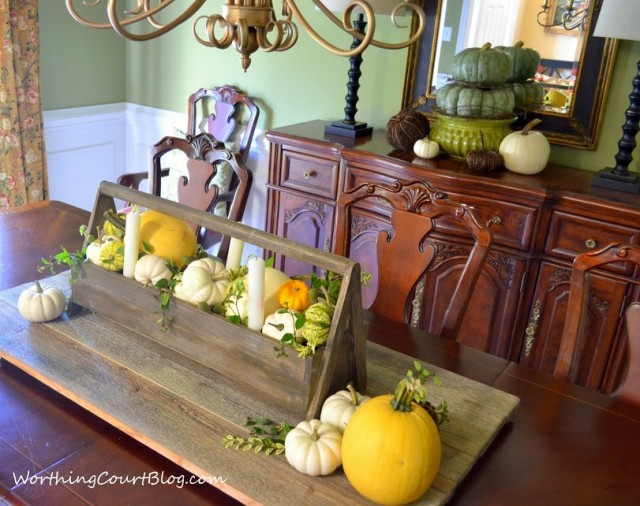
(305, 221)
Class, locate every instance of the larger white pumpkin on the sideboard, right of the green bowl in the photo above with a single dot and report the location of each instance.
(525, 152)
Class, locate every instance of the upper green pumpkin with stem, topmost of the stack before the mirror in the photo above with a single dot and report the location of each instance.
(483, 66)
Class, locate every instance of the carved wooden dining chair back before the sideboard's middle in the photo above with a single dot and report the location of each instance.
(415, 206)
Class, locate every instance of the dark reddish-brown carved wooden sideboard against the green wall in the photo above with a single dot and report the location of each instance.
(539, 224)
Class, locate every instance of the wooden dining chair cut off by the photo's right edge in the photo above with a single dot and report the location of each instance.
(577, 317)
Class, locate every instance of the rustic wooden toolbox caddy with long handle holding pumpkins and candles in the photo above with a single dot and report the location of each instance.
(247, 357)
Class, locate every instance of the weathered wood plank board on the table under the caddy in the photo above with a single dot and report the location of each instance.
(144, 389)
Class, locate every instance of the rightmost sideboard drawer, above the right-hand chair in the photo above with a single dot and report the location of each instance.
(570, 235)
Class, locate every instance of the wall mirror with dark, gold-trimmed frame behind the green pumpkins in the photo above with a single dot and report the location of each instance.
(573, 62)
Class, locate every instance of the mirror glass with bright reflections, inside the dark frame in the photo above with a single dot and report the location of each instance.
(472, 23)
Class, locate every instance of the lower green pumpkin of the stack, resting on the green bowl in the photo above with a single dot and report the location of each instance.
(458, 99)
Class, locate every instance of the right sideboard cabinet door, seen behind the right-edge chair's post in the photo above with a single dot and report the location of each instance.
(544, 333)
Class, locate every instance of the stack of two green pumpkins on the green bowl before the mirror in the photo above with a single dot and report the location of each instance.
(479, 88)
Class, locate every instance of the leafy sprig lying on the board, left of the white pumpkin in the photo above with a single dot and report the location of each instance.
(264, 435)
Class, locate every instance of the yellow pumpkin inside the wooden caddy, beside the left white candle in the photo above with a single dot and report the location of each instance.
(168, 237)
